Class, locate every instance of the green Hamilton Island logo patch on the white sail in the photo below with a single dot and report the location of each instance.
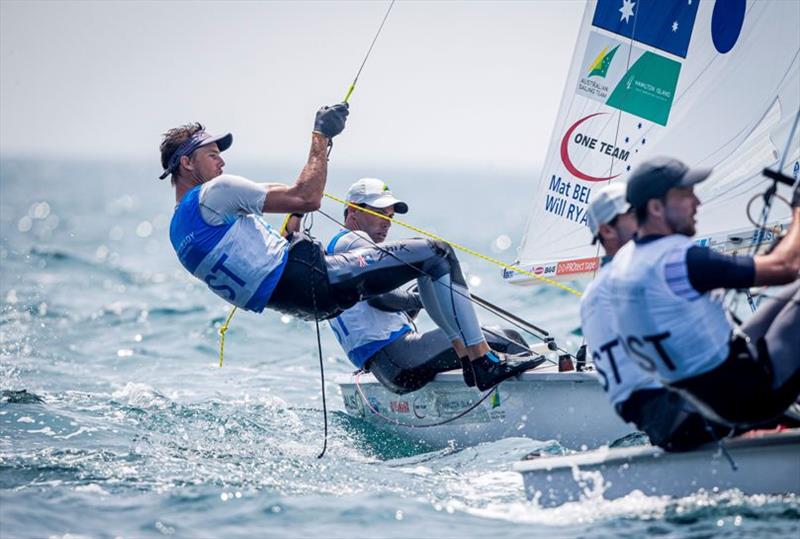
(648, 88)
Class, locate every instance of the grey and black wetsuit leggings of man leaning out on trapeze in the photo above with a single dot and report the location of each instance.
(315, 284)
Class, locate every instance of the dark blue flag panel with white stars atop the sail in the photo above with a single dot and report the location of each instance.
(663, 24)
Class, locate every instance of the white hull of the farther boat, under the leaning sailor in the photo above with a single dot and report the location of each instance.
(568, 407)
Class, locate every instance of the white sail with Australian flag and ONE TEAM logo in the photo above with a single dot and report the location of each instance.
(714, 84)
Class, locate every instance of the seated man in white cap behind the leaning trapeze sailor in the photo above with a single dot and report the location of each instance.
(378, 334)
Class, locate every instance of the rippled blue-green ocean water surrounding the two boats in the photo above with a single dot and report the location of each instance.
(116, 421)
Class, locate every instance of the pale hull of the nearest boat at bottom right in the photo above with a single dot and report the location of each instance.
(763, 464)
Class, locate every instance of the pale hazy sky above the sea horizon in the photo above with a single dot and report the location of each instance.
(448, 83)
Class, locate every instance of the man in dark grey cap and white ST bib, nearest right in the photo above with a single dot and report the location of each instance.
(668, 320)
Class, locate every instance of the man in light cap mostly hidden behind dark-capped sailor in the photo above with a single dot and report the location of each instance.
(638, 396)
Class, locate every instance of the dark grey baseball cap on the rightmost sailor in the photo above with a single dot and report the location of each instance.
(653, 178)
